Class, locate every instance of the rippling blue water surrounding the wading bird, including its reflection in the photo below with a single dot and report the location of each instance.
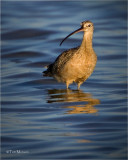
(40, 119)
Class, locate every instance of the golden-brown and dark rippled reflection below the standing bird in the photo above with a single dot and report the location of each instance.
(82, 102)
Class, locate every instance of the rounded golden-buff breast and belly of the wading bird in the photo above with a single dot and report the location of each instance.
(77, 69)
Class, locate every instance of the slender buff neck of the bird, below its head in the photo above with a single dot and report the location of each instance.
(87, 42)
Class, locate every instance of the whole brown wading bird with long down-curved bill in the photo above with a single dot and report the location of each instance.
(75, 64)
